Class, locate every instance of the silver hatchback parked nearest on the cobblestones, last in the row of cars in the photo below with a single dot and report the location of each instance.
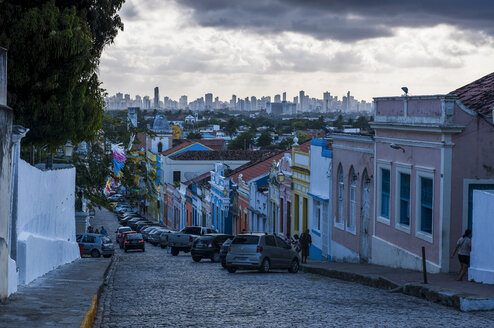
(262, 252)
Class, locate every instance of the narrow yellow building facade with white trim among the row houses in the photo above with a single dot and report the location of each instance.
(301, 184)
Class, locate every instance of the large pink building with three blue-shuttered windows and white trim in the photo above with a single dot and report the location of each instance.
(431, 152)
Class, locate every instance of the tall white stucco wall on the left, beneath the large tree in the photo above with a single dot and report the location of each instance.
(45, 220)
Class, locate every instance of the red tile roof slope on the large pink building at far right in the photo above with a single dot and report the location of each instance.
(478, 95)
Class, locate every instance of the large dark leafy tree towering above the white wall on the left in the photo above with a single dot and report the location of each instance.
(54, 50)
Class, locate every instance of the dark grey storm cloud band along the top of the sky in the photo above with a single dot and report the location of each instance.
(343, 20)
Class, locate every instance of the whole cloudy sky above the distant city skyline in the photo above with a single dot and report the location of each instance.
(265, 47)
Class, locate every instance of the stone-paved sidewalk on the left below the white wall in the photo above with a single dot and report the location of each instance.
(61, 297)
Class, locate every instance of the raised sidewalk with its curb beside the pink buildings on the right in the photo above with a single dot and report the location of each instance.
(441, 288)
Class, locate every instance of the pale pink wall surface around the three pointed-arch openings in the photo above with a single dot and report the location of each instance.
(351, 151)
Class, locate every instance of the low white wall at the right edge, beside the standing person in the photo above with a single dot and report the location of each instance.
(481, 259)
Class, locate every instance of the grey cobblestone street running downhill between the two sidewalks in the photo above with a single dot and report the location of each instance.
(155, 289)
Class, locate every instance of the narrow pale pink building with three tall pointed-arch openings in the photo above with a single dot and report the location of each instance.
(352, 197)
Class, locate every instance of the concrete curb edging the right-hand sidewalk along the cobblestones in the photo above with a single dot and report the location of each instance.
(459, 301)
